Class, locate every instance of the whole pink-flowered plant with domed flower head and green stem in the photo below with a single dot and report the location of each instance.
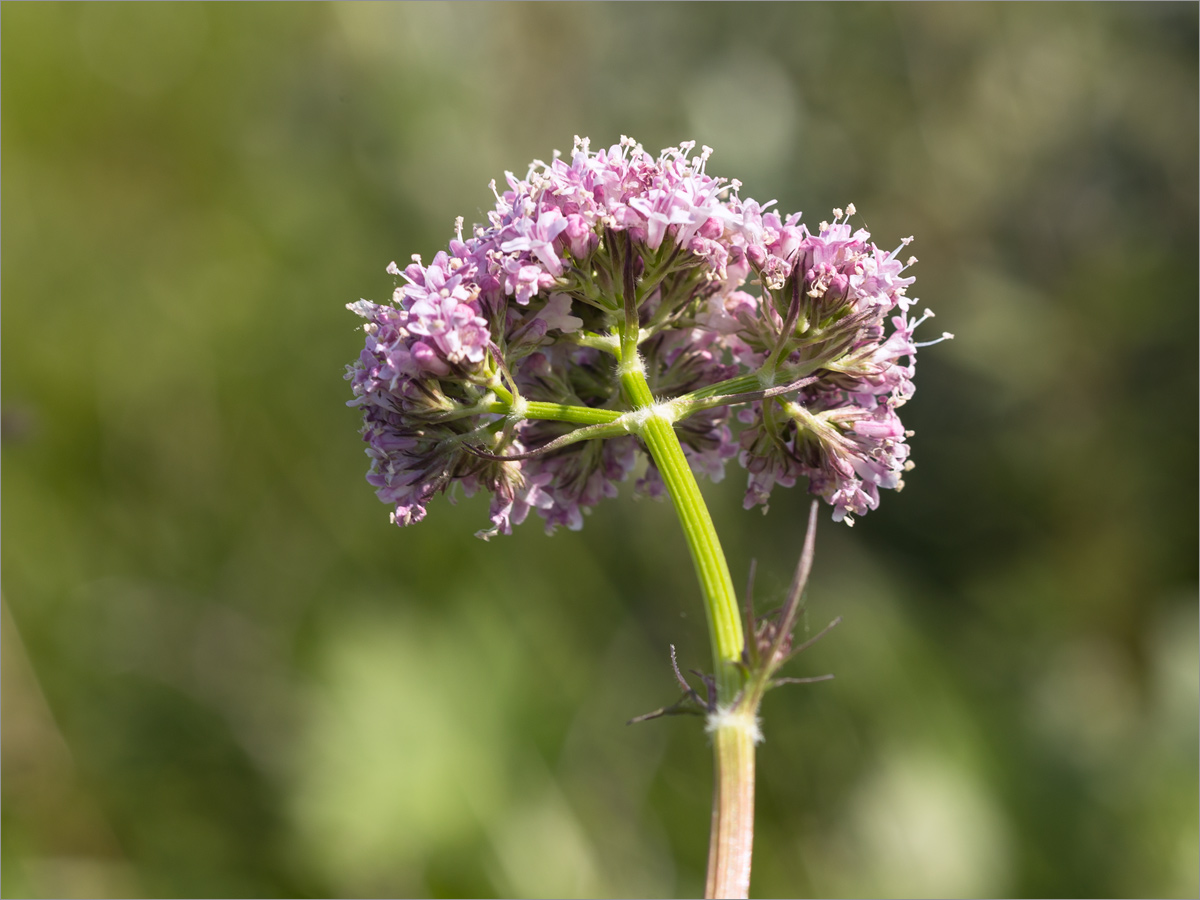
(620, 307)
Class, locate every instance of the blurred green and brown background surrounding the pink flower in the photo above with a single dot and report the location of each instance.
(226, 675)
